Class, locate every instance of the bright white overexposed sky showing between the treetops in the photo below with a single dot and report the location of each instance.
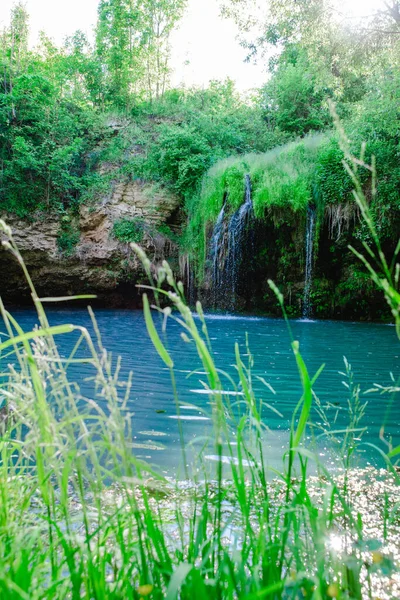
(205, 41)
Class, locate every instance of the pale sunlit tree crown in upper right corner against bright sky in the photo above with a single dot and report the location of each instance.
(339, 52)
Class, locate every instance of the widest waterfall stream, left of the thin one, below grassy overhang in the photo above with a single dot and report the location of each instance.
(227, 246)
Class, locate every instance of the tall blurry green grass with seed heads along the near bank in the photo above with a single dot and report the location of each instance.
(82, 517)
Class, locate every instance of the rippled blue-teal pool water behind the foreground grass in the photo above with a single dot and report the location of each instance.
(372, 349)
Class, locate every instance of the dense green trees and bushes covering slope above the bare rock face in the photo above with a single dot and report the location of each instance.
(65, 111)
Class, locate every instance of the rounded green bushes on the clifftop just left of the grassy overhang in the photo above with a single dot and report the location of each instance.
(193, 130)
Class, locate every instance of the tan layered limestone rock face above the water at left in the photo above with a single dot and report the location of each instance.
(98, 263)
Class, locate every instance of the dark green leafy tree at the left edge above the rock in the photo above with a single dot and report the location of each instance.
(46, 132)
